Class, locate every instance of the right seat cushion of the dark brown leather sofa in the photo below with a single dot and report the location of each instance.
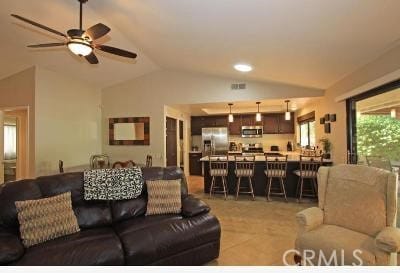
(151, 238)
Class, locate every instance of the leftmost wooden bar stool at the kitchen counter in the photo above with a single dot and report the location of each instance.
(218, 168)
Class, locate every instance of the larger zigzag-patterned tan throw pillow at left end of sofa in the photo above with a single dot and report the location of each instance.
(45, 219)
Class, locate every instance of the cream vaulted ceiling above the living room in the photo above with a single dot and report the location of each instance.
(305, 42)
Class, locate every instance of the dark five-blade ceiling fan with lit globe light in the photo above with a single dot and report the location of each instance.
(81, 42)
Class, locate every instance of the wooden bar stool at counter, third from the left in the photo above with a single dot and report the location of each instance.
(276, 168)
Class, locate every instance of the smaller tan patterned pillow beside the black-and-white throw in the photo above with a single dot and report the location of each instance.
(164, 196)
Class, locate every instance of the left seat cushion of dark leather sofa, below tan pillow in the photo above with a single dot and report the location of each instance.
(98, 246)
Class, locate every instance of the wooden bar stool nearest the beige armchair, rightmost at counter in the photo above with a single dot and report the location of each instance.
(309, 166)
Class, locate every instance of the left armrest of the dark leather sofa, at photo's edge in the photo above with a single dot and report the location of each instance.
(11, 248)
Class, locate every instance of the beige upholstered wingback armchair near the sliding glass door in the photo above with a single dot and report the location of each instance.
(354, 223)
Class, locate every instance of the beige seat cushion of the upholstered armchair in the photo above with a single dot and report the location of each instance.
(330, 238)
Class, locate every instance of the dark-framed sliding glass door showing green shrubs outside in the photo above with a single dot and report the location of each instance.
(374, 127)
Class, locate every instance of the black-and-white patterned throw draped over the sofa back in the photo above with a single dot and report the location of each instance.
(113, 184)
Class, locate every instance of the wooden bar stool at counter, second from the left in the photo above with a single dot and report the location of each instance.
(244, 167)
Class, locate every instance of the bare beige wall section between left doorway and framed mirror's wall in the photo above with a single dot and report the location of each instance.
(68, 122)
